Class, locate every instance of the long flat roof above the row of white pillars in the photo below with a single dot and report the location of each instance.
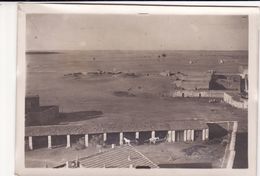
(99, 127)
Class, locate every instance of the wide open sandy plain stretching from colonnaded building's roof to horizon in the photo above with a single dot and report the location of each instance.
(97, 93)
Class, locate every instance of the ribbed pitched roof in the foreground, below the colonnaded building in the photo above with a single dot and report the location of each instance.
(118, 157)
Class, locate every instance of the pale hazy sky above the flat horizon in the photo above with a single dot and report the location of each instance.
(135, 32)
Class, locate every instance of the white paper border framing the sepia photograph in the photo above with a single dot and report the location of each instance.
(253, 50)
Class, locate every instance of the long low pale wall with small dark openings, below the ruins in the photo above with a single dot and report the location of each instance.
(198, 93)
